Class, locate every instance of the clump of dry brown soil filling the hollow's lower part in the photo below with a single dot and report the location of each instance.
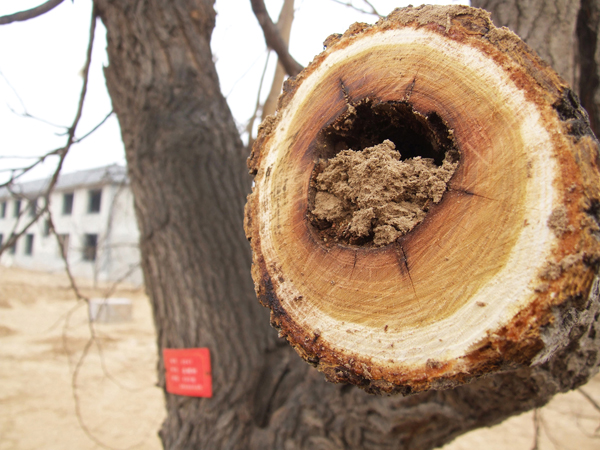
(373, 195)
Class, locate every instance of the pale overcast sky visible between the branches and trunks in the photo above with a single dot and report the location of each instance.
(41, 62)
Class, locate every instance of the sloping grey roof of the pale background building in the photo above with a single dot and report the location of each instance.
(100, 176)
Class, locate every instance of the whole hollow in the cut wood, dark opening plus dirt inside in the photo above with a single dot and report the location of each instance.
(373, 195)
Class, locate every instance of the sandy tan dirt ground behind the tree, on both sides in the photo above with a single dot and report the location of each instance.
(44, 330)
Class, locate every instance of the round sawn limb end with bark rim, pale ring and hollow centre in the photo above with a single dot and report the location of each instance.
(382, 268)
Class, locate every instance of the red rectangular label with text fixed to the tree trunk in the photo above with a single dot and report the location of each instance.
(188, 371)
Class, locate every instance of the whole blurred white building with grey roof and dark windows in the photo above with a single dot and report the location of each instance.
(92, 212)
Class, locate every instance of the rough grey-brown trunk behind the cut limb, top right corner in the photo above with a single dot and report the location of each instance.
(565, 33)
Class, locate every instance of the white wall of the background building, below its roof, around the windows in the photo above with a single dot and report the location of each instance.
(117, 255)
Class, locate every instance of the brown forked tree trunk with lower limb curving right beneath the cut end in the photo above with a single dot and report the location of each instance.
(187, 173)
